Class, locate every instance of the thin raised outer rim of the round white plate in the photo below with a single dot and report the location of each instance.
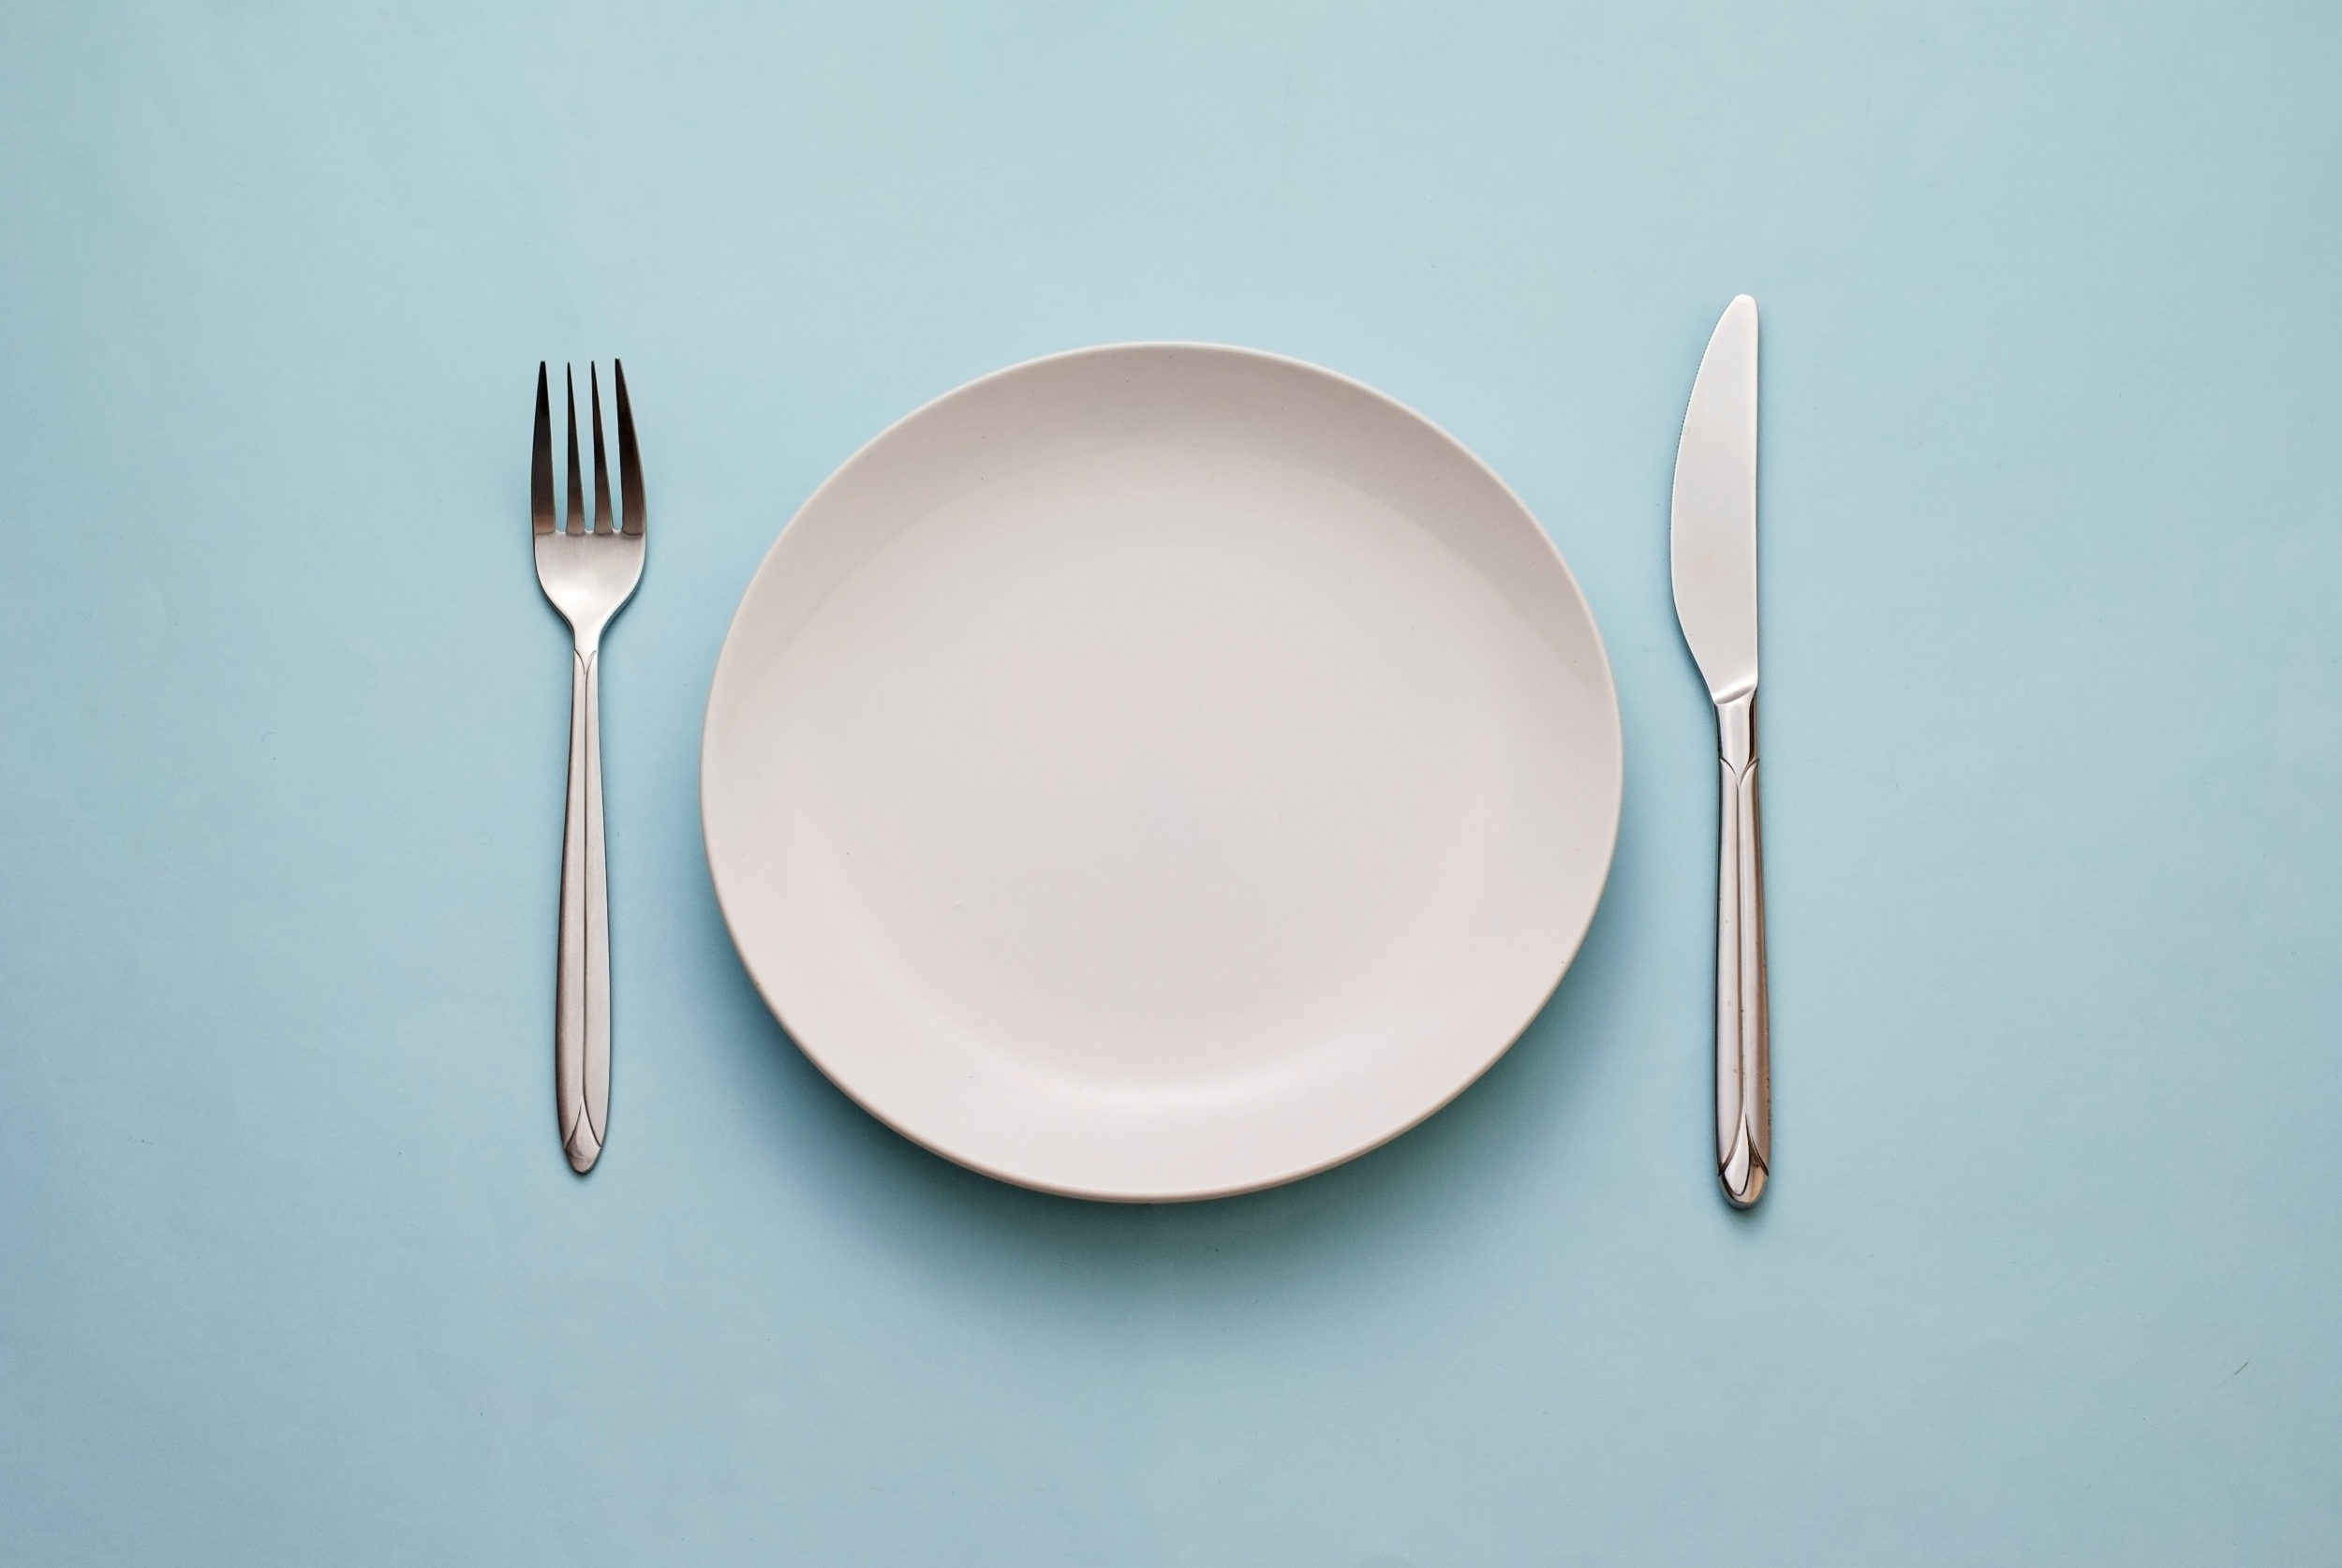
(1235, 352)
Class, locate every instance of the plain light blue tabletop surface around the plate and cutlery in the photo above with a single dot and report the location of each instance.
(292, 1270)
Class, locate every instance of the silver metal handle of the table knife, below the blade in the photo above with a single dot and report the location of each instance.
(1744, 1040)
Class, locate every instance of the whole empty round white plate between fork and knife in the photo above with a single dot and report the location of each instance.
(1160, 771)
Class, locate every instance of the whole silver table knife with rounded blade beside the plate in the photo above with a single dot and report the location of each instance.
(1713, 556)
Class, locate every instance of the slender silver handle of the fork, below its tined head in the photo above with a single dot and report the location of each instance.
(582, 977)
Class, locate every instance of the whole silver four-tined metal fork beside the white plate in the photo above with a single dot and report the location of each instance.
(589, 575)
